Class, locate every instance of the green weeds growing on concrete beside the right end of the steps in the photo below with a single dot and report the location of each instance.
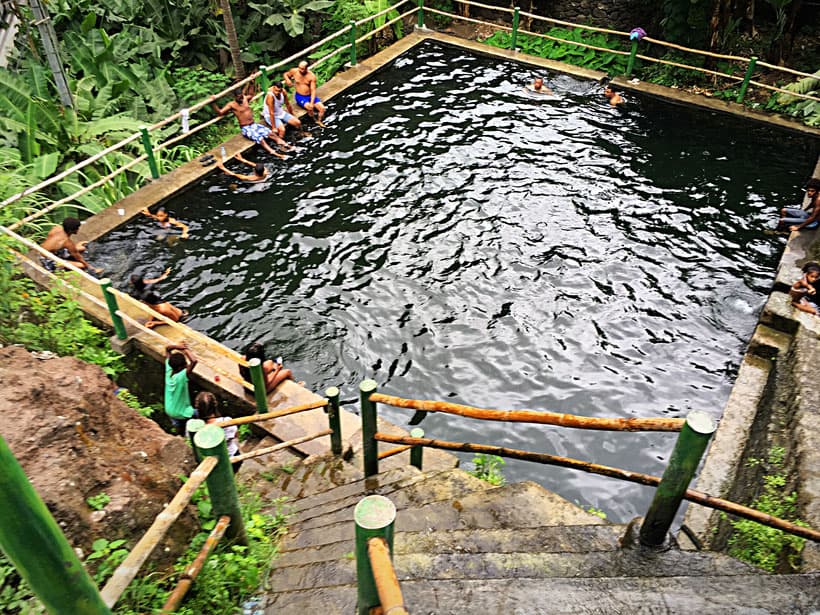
(763, 546)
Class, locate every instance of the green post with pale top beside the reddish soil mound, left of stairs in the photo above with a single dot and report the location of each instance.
(210, 442)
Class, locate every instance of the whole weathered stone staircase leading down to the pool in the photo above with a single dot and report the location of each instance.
(464, 546)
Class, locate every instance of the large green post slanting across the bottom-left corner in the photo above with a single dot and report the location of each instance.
(32, 540)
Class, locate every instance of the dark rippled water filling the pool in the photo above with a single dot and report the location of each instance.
(455, 238)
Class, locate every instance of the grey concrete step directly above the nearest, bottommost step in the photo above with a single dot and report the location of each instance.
(620, 563)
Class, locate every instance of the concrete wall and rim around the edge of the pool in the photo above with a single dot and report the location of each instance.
(781, 333)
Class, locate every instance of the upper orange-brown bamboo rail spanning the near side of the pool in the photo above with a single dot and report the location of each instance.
(532, 416)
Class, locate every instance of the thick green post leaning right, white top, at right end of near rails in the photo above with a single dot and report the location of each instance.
(691, 444)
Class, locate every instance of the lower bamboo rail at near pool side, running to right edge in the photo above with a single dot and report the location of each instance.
(692, 495)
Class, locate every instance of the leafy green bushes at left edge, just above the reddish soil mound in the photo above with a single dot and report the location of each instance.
(48, 319)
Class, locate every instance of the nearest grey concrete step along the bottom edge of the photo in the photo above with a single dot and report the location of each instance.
(728, 595)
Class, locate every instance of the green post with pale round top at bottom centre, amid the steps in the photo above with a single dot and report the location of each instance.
(374, 516)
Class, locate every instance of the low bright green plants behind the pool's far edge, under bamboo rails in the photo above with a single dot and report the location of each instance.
(565, 51)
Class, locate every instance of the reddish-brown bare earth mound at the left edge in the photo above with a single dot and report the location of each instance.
(75, 439)
